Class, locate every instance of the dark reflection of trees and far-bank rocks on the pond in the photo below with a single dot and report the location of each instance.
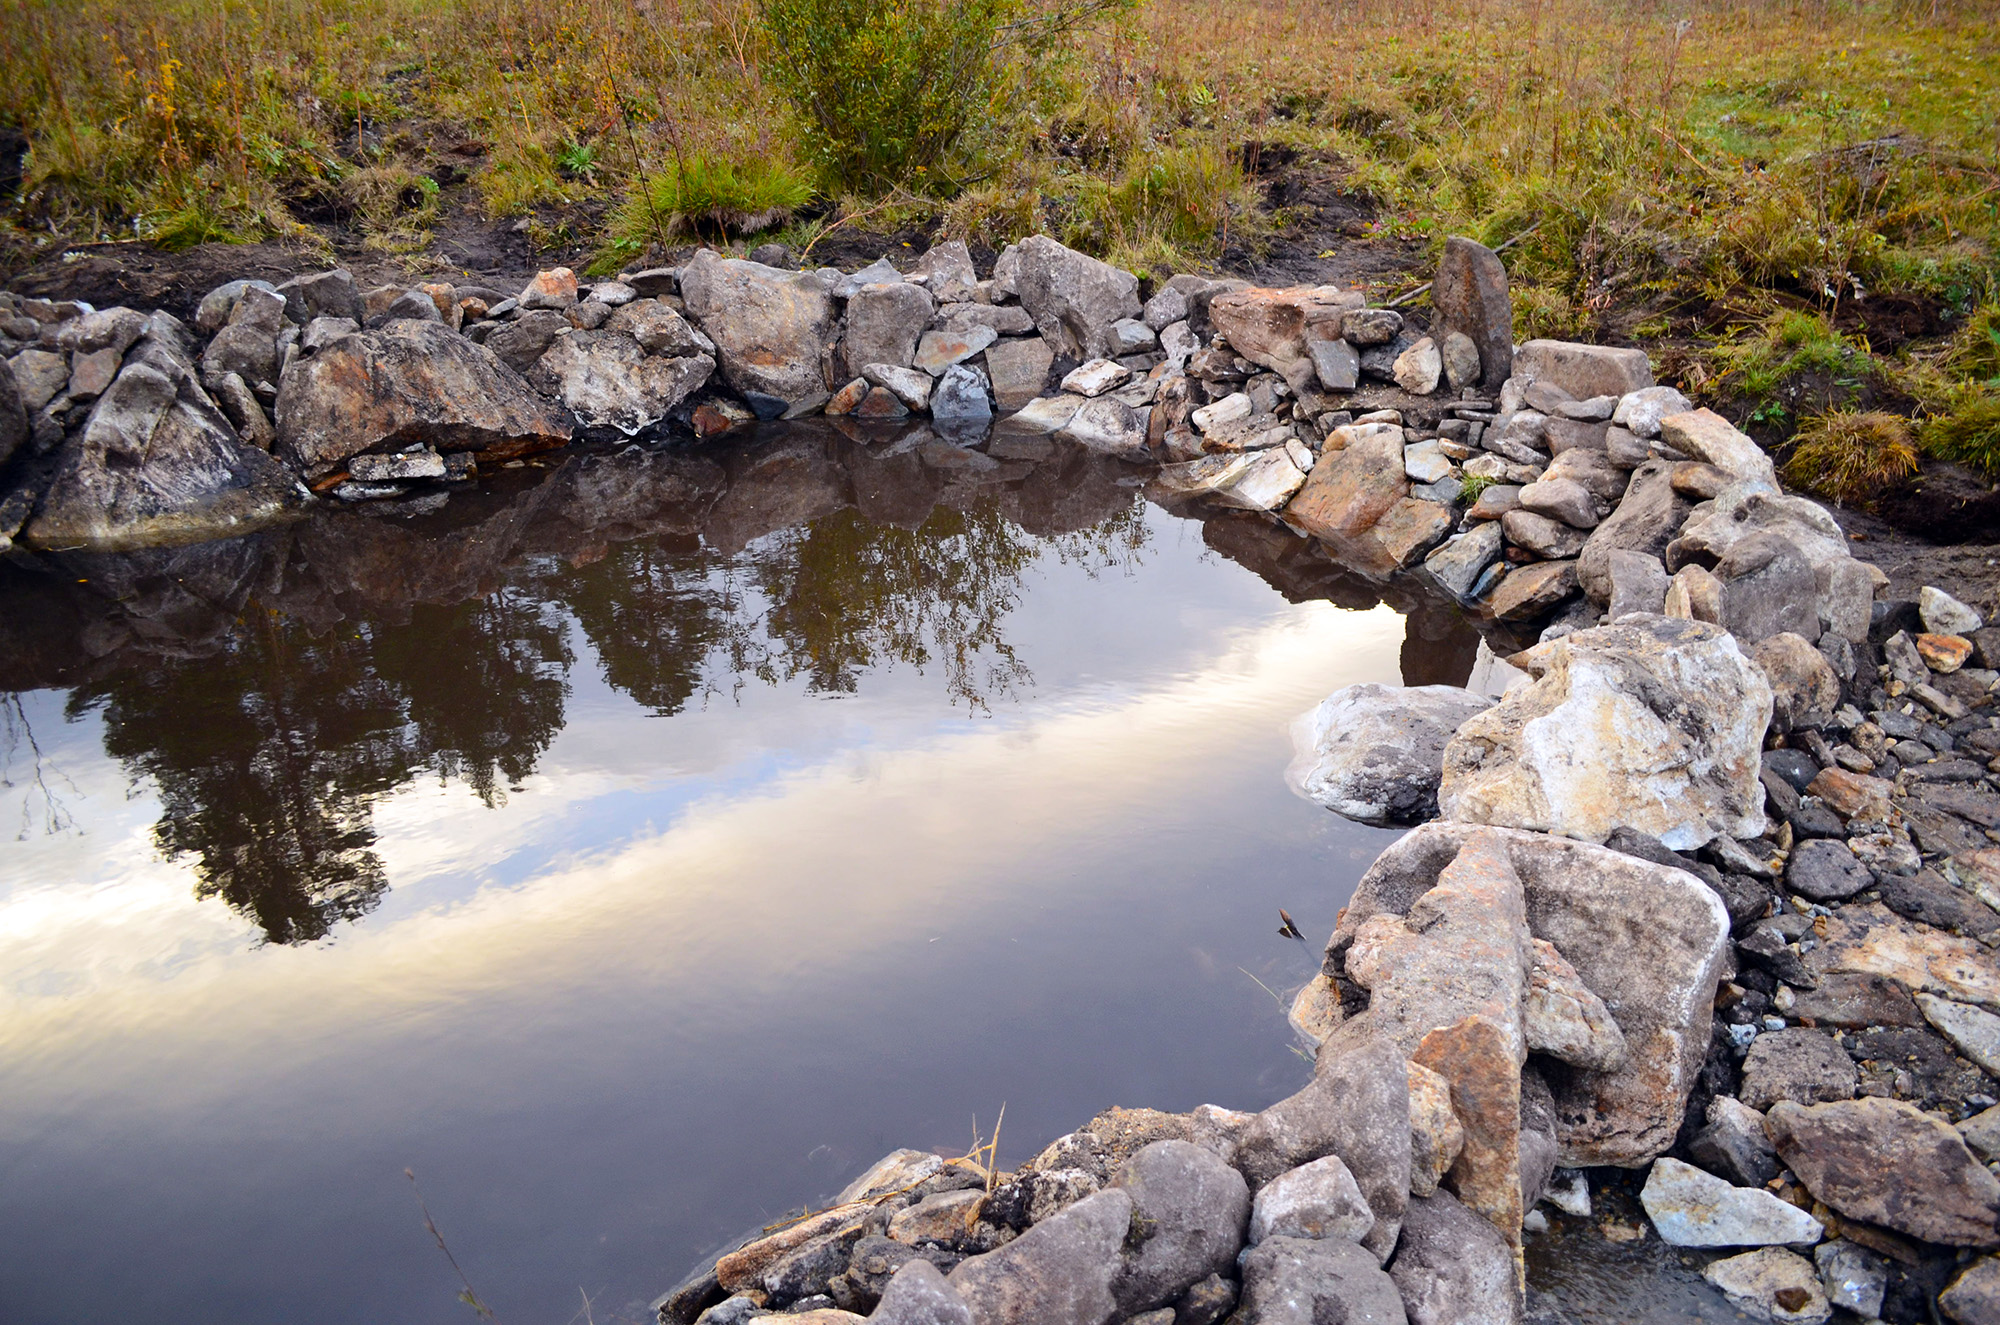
(275, 688)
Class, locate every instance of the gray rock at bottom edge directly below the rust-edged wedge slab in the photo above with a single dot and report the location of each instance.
(1453, 1268)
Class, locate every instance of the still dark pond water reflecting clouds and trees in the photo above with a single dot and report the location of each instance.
(633, 850)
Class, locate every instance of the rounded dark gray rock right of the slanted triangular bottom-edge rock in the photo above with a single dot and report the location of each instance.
(1189, 1214)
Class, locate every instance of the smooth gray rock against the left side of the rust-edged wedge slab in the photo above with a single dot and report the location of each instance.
(1357, 1108)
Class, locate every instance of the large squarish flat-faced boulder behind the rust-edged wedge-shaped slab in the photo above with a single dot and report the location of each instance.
(1651, 940)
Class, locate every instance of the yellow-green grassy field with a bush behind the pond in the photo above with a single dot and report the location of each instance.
(1797, 207)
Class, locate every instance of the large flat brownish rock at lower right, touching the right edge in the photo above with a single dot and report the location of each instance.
(1889, 1164)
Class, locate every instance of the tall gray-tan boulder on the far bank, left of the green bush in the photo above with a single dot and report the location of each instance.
(771, 329)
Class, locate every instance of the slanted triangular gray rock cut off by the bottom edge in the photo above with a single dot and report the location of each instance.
(1061, 1272)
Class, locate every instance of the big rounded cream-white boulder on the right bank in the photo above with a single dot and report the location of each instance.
(1649, 724)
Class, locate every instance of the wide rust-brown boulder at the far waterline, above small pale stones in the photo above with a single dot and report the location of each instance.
(409, 383)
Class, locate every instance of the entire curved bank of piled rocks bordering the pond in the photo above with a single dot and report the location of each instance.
(1707, 894)
